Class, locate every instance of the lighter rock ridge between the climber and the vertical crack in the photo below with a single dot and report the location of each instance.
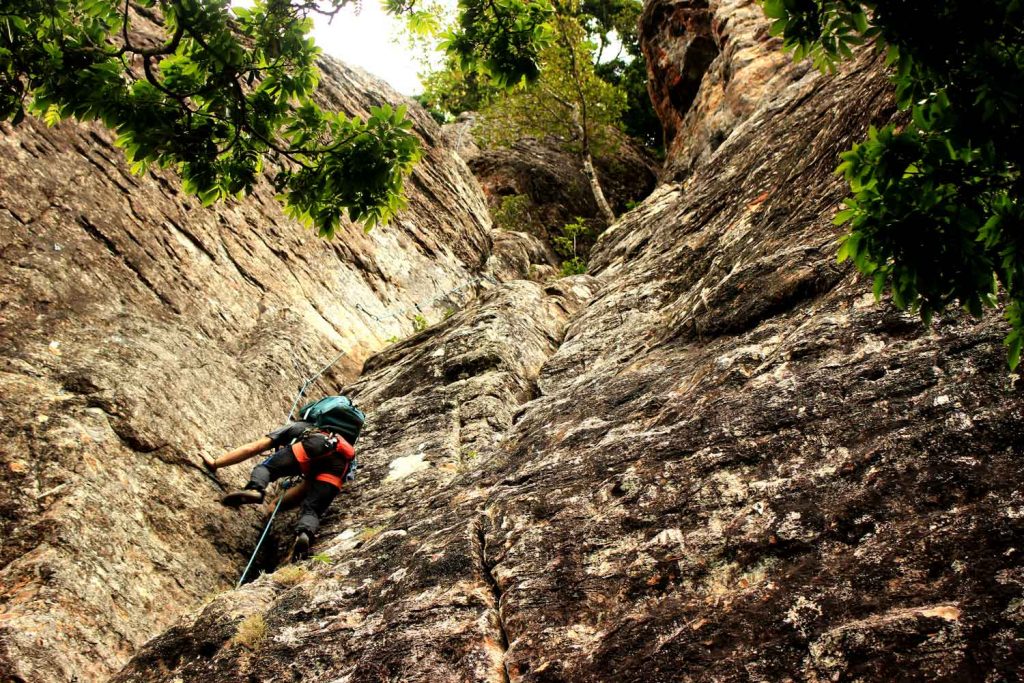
(406, 592)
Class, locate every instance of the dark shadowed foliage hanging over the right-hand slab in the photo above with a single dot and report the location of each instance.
(935, 211)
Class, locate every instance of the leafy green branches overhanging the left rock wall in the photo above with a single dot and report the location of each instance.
(215, 94)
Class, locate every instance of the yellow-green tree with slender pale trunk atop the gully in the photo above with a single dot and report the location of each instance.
(539, 69)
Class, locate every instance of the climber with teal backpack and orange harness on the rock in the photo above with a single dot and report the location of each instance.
(319, 447)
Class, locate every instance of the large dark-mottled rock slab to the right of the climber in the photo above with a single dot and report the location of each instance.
(718, 460)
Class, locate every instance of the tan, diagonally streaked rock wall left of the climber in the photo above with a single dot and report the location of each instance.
(141, 330)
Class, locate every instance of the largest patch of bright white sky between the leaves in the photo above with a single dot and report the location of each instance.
(372, 40)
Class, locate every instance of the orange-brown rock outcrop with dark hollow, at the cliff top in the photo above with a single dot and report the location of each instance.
(711, 64)
